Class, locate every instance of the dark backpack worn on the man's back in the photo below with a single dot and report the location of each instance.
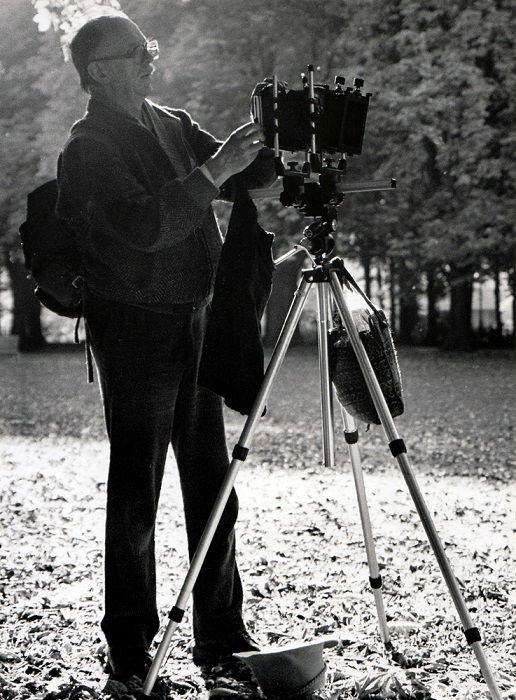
(51, 255)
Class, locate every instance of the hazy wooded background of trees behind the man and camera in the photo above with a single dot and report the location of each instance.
(442, 76)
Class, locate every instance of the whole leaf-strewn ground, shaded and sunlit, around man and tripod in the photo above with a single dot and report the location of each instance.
(301, 548)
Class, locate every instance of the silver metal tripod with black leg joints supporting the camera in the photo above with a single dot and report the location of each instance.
(326, 275)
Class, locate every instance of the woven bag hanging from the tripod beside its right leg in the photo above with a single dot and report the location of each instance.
(345, 371)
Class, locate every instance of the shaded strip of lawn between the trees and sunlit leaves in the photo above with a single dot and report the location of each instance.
(458, 417)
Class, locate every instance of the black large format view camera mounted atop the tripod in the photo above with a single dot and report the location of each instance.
(318, 121)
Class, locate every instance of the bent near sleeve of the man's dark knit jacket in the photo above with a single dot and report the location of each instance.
(98, 189)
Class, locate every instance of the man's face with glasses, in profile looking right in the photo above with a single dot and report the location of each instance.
(128, 74)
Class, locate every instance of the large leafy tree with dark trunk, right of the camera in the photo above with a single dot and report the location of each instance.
(447, 116)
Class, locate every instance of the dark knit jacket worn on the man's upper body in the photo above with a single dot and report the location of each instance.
(147, 237)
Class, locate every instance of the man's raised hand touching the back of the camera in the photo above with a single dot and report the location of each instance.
(236, 152)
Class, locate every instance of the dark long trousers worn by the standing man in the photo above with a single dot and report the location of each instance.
(147, 364)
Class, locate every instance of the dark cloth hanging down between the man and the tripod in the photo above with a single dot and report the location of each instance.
(232, 357)
